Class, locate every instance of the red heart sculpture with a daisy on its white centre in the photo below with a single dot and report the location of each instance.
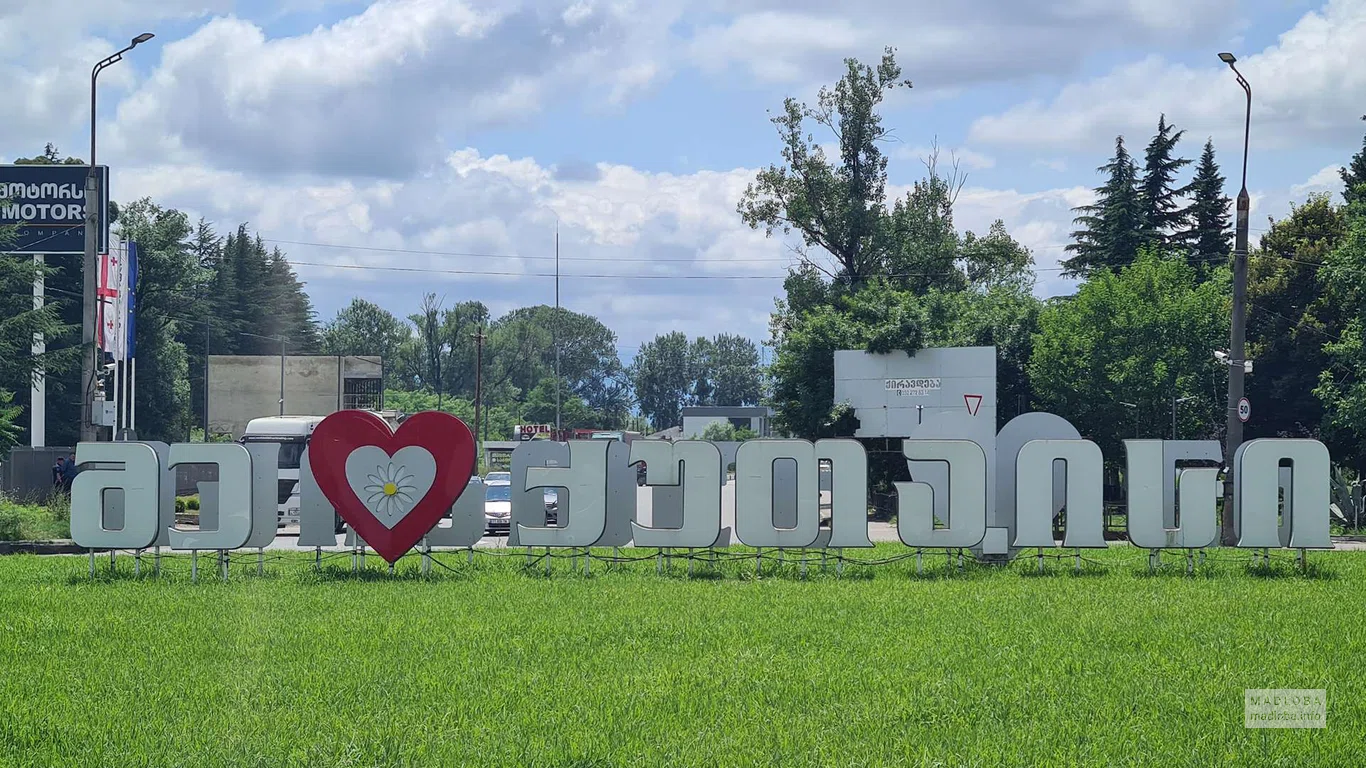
(442, 435)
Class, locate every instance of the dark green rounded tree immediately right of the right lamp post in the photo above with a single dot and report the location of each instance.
(1292, 319)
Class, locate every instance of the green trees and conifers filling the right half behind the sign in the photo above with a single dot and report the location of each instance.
(1130, 349)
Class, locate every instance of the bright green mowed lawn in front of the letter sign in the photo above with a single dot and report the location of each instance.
(495, 665)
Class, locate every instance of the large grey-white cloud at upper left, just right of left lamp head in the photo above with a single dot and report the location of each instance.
(376, 94)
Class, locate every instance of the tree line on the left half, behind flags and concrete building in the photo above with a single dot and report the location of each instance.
(208, 294)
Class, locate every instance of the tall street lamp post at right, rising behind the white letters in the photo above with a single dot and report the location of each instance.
(1234, 435)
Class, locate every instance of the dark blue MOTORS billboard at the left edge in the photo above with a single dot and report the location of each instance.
(46, 204)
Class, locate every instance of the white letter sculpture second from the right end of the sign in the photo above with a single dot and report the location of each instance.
(1147, 476)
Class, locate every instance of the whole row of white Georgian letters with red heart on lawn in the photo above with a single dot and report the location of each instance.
(395, 489)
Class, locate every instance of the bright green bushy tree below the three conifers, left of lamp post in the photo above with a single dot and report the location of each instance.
(1140, 335)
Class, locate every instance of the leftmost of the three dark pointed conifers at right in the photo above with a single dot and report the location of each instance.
(1113, 228)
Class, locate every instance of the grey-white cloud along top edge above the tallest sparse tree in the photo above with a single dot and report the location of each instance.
(942, 46)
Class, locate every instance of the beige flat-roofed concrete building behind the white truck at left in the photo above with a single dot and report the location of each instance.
(247, 387)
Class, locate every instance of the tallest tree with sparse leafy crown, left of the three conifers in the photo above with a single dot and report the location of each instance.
(838, 206)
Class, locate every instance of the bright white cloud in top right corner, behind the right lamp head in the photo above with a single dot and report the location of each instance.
(1308, 87)
